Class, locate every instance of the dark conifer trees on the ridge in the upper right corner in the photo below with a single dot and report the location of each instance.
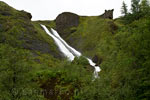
(139, 9)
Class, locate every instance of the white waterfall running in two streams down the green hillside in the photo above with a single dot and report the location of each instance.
(67, 50)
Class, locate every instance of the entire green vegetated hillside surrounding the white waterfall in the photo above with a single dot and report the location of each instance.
(27, 72)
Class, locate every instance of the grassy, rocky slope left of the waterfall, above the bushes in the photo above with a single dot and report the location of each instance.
(17, 29)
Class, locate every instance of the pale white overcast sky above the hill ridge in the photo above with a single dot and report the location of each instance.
(49, 9)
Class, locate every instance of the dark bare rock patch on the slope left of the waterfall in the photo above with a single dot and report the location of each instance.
(33, 43)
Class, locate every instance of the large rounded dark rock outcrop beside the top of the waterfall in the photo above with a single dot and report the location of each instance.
(65, 21)
